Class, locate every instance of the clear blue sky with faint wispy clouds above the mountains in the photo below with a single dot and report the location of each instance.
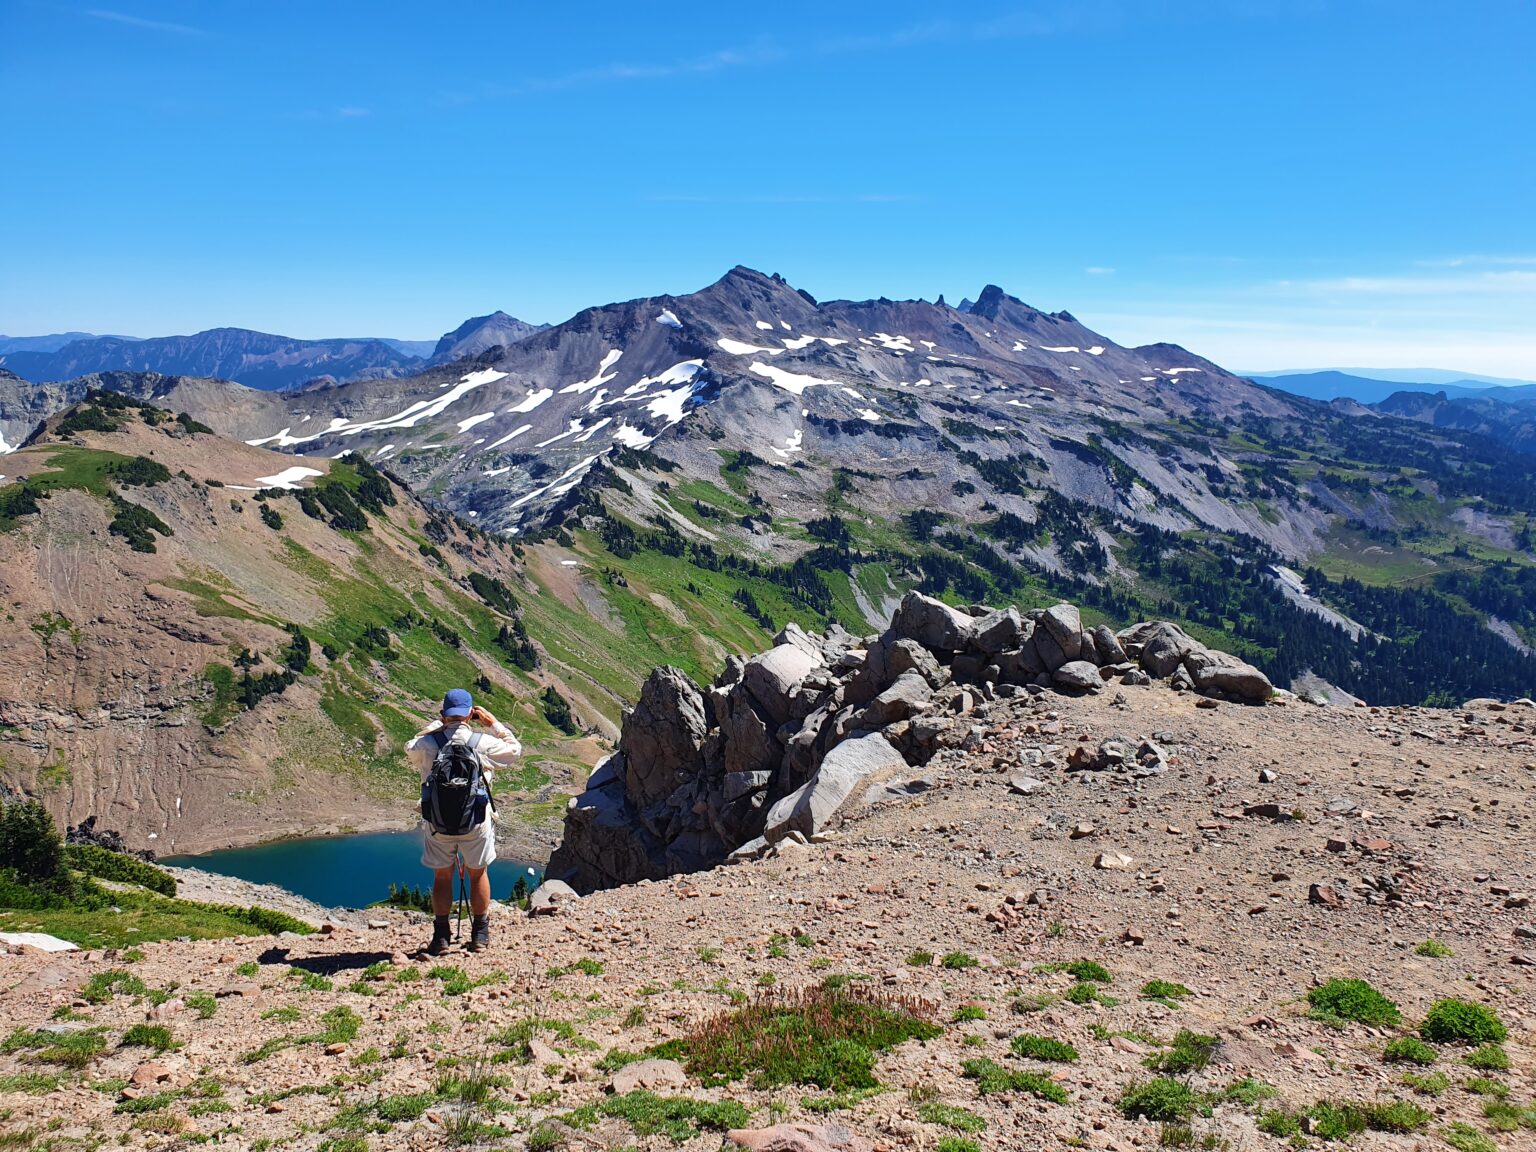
(1274, 185)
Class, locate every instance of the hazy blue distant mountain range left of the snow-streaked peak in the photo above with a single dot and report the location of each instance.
(257, 360)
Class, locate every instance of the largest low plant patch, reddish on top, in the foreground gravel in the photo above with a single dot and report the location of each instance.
(810, 1036)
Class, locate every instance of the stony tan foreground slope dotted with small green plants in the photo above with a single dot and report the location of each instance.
(1099, 959)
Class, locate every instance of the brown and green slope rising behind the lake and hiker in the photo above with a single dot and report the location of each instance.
(210, 646)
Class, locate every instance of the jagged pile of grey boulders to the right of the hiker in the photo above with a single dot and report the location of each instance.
(776, 746)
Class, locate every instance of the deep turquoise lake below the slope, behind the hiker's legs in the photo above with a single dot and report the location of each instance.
(343, 872)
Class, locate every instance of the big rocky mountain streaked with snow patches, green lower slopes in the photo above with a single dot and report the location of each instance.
(710, 468)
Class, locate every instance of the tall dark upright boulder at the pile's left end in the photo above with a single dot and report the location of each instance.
(663, 738)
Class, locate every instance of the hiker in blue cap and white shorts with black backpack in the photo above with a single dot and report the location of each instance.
(455, 767)
